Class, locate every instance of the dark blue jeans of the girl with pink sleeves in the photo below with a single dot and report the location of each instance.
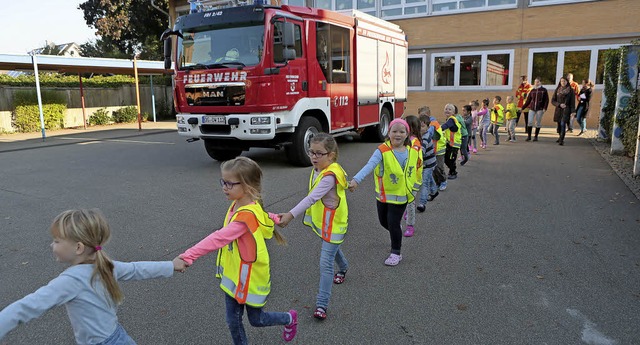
(257, 318)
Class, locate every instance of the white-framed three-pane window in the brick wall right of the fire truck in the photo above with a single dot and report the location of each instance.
(492, 69)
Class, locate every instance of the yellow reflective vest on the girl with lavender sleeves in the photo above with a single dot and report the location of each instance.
(329, 224)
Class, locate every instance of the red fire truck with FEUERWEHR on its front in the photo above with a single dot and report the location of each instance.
(273, 76)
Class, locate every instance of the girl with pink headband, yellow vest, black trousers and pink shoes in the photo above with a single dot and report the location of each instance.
(394, 163)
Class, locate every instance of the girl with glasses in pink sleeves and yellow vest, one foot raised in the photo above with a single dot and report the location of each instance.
(243, 264)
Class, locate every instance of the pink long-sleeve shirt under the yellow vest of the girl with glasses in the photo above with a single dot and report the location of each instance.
(219, 239)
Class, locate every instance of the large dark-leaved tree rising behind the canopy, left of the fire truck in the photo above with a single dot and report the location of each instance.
(129, 26)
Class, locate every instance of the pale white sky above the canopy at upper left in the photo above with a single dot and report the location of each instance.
(28, 24)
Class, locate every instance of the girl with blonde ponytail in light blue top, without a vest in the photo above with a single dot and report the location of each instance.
(89, 287)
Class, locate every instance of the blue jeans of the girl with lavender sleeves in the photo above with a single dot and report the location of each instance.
(330, 253)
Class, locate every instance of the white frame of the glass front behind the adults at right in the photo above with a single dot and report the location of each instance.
(593, 62)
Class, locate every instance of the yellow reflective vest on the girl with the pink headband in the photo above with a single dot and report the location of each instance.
(394, 185)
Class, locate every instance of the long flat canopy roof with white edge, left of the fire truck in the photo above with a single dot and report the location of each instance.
(81, 65)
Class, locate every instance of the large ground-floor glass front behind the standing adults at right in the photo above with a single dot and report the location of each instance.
(583, 62)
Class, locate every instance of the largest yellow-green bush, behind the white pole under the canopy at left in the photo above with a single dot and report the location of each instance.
(26, 114)
